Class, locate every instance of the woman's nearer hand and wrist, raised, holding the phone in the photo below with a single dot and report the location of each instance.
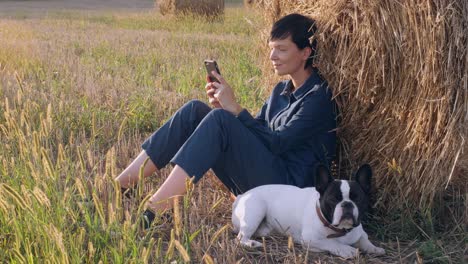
(225, 95)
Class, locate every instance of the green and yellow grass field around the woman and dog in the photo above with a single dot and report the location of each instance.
(79, 92)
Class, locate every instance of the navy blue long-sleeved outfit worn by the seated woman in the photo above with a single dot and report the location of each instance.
(293, 132)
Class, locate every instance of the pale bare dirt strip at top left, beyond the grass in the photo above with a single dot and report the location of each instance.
(37, 7)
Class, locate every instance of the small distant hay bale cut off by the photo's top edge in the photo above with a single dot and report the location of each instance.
(210, 8)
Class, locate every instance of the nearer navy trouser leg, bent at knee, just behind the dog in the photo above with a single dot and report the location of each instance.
(238, 158)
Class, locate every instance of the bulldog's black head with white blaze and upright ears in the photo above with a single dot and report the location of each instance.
(343, 202)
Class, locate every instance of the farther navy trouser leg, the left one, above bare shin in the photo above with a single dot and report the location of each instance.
(163, 144)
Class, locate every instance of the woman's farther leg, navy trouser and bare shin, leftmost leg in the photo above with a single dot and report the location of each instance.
(163, 144)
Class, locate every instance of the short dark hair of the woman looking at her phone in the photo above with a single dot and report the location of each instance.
(300, 28)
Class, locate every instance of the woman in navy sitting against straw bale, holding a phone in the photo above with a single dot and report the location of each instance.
(293, 132)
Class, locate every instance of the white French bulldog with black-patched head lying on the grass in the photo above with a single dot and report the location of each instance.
(326, 217)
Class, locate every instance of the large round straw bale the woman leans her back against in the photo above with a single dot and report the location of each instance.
(399, 71)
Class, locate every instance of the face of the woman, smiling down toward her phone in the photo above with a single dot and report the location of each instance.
(286, 57)
